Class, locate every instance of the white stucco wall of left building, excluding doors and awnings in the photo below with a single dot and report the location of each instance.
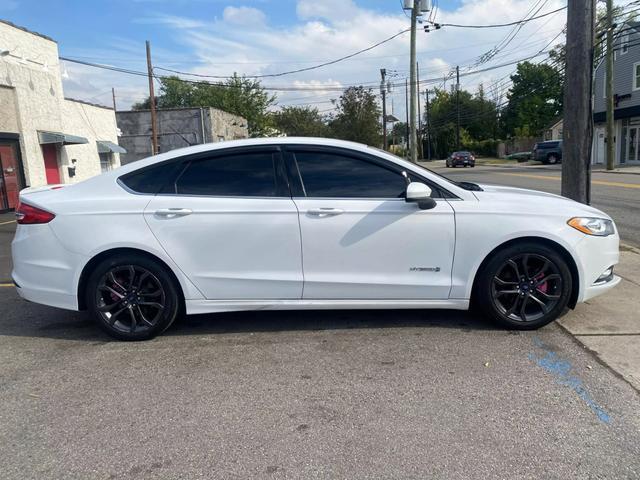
(32, 72)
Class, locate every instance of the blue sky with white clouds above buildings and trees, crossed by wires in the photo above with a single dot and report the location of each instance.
(261, 37)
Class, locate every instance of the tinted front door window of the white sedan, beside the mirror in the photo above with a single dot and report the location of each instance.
(327, 174)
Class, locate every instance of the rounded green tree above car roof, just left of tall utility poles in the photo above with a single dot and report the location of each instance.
(357, 118)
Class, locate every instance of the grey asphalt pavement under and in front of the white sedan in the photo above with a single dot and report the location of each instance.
(346, 394)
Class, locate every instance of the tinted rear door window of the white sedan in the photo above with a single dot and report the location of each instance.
(242, 175)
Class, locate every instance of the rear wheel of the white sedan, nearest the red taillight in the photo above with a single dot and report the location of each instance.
(132, 297)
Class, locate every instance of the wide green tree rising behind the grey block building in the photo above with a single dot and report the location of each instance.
(238, 95)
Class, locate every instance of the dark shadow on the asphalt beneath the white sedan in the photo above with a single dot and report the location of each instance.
(25, 319)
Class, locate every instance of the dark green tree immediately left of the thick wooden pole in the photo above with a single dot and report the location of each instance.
(534, 100)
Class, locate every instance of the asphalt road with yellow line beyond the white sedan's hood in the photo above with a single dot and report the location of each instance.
(616, 194)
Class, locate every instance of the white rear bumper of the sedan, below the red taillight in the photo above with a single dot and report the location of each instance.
(43, 270)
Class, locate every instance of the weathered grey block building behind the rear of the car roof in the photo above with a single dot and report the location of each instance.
(177, 128)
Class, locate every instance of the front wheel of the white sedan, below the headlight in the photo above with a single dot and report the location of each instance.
(524, 286)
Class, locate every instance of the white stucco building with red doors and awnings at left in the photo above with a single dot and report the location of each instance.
(46, 138)
